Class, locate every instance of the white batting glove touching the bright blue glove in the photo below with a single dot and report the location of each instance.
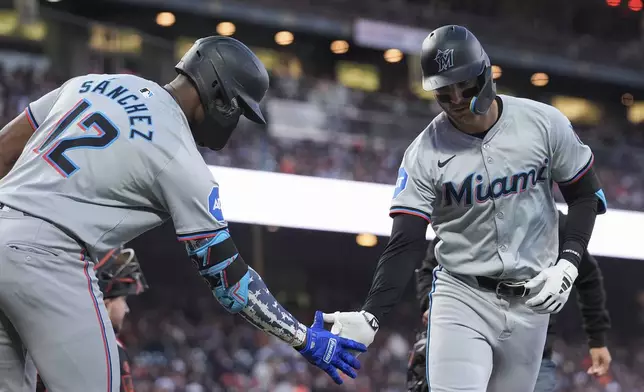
(359, 326)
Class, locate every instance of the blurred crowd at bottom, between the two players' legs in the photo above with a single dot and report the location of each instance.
(177, 350)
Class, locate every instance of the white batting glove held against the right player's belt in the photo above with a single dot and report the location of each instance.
(556, 282)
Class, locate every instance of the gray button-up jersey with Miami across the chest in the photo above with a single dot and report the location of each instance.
(491, 200)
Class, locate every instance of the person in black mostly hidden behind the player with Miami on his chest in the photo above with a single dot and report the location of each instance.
(591, 298)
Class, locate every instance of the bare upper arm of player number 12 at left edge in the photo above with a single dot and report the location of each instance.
(13, 139)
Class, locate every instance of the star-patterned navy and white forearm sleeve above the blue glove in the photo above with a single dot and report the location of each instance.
(264, 312)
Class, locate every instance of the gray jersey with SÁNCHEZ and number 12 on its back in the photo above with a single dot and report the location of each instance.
(112, 156)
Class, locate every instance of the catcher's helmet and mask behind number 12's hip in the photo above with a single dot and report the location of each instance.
(119, 274)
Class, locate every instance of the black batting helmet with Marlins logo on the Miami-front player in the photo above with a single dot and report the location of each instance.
(452, 54)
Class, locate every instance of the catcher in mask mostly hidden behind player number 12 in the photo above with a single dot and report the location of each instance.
(119, 275)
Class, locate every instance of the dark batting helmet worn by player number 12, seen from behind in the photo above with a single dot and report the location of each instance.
(230, 80)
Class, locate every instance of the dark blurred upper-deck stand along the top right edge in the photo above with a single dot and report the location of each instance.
(576, 30)
